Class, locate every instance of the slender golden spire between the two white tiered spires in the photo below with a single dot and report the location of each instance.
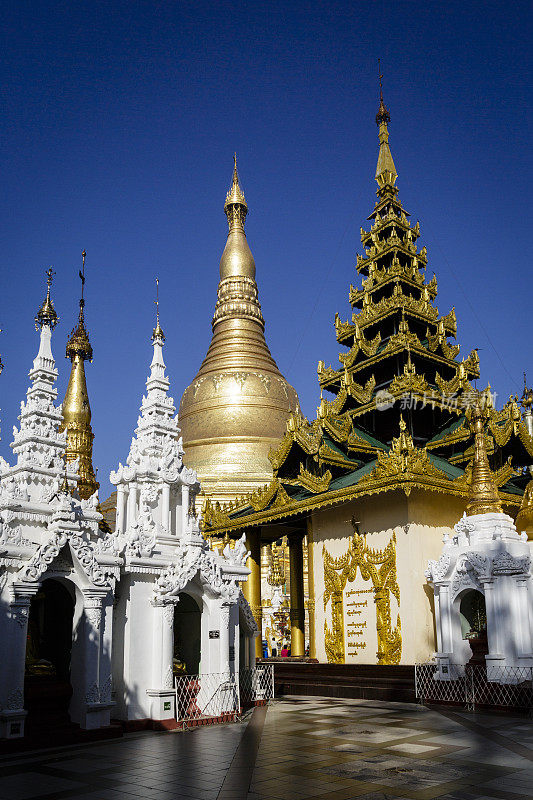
(76, 407)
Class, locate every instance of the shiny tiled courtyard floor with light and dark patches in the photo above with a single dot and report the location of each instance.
(297, 748)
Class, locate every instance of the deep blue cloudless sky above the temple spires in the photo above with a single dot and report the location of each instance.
(119, 122)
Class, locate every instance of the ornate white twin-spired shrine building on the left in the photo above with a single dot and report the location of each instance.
(94, 625)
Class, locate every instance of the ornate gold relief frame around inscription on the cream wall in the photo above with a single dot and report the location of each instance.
(349, 633)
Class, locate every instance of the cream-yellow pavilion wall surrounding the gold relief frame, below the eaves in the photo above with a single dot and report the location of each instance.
(418, 523)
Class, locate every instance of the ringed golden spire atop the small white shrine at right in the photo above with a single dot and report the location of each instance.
(483, 495)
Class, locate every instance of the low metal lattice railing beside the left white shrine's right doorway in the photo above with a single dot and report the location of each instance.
(221, 697)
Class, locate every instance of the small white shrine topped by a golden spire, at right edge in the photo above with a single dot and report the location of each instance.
(482, 583)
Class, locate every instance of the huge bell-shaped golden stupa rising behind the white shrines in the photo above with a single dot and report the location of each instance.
(237, 406)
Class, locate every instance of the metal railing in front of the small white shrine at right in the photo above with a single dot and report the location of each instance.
(475, 686)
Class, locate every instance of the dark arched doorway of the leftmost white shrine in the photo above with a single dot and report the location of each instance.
(47, 688)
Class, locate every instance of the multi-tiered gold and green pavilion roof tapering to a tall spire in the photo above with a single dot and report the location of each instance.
(401, 398)
